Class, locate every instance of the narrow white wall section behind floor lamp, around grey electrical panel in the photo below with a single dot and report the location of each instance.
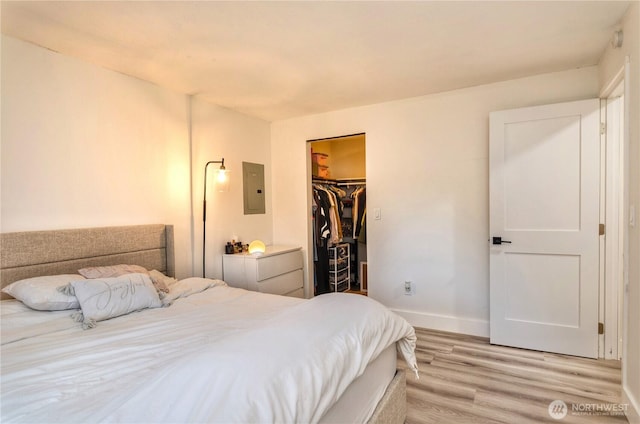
(221, 133)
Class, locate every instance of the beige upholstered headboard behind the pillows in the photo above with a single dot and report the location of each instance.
(36, 253)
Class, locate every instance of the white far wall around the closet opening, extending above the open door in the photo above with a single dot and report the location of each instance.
(427, 170)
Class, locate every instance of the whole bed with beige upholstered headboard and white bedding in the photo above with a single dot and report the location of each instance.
(206, 352)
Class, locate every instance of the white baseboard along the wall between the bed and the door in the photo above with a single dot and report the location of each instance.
(473, 327)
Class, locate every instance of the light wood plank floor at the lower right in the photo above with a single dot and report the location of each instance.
(464, 379)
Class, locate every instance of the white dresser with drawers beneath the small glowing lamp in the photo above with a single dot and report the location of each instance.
(278, 271)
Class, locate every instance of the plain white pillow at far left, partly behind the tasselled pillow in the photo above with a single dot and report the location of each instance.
(41, 292)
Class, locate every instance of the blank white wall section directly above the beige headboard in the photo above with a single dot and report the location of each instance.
(83, 146)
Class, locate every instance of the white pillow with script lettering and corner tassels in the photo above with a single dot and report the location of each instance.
(105, 298)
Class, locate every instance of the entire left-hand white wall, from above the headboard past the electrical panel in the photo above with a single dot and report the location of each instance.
(83, 146)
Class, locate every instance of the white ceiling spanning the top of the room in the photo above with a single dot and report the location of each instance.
(275, 60)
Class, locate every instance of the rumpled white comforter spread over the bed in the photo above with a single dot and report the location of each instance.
(222, 355)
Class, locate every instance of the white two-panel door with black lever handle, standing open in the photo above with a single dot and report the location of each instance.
(544, 206)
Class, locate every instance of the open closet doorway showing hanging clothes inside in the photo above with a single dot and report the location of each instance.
(338, 214)
